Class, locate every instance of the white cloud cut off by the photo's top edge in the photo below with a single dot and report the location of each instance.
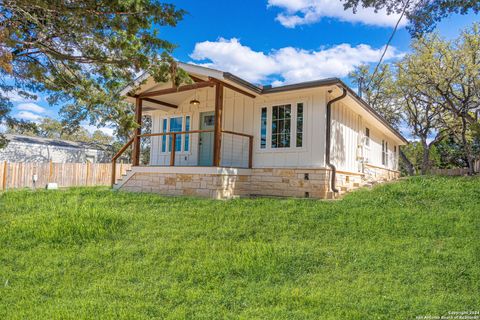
(300, 12)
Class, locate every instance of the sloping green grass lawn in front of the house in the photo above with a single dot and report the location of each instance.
(399, 251)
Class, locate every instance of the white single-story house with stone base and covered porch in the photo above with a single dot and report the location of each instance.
(222, 137)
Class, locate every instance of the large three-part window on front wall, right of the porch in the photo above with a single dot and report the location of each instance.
(282, 126)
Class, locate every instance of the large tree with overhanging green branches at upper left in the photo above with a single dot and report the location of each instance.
(81, 53)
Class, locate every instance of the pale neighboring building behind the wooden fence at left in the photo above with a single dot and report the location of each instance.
(34, 149)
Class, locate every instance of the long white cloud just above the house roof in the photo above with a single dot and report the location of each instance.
(286, 65)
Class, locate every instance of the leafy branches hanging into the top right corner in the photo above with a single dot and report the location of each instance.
(423, 15)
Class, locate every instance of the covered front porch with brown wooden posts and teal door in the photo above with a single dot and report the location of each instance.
(189, 129)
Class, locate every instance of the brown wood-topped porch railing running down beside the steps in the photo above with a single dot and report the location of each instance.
(172, 147)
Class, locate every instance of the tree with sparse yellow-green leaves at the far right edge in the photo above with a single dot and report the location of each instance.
(452, 70)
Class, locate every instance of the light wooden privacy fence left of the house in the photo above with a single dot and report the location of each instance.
(20, 175)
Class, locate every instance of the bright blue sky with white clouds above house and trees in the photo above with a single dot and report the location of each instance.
(276, 42)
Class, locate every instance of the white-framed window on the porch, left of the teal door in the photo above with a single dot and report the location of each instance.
(176, 124)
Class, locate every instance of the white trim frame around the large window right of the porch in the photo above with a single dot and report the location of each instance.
(293, 126)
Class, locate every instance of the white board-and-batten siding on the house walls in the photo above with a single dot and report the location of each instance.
(243, 114)
